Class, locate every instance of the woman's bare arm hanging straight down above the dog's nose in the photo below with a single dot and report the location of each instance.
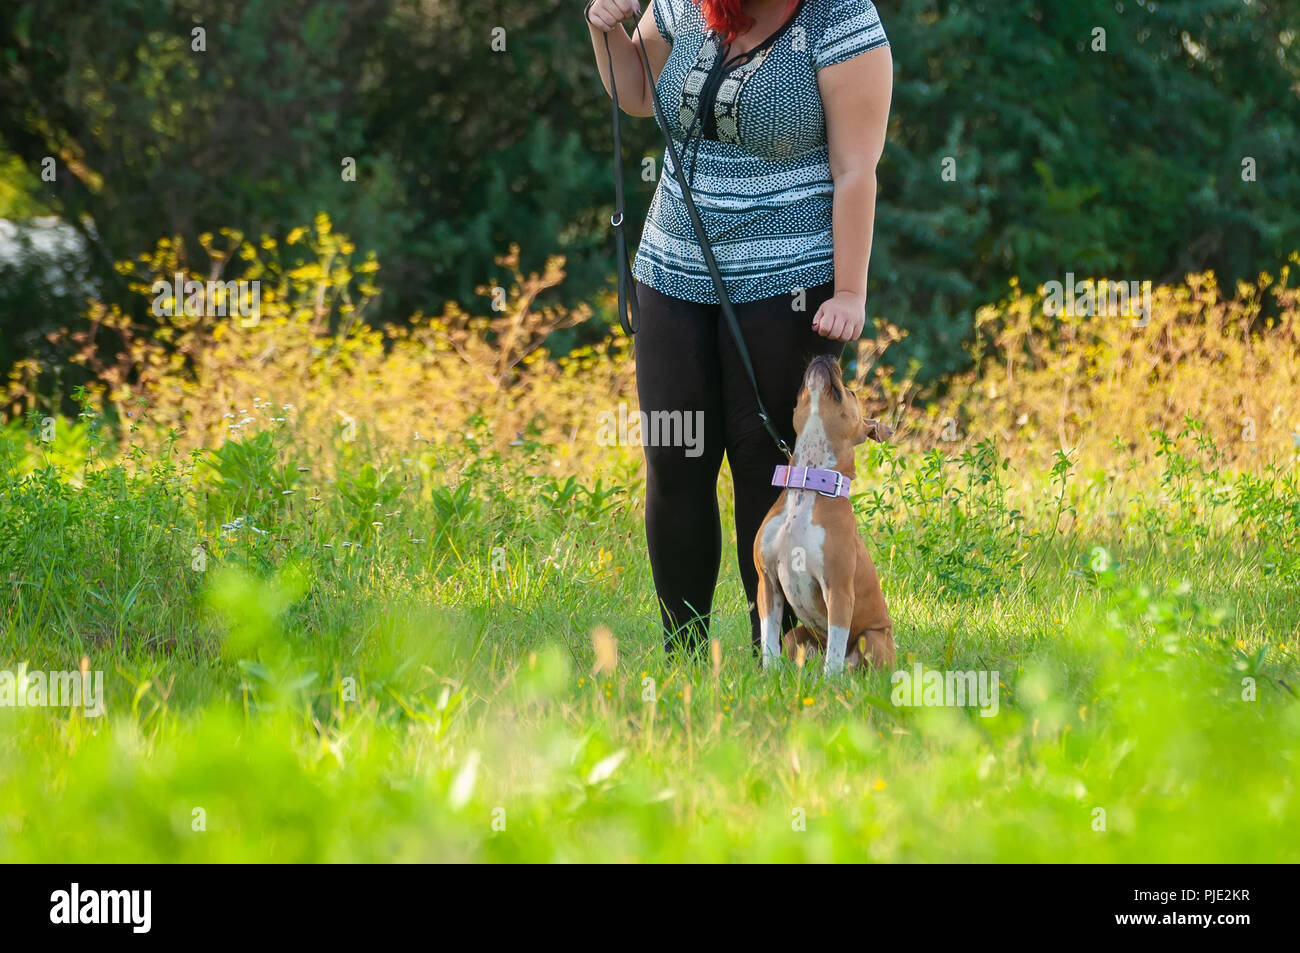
(856, 96)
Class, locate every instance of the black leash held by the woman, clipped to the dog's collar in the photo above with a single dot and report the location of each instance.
(627, 297)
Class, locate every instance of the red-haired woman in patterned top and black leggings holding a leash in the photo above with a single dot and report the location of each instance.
(779, 111)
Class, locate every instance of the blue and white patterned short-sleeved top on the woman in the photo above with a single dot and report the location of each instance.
(764, 185)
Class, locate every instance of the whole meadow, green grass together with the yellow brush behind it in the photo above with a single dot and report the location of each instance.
(383, 596)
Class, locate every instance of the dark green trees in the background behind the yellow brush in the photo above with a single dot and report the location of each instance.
(1124, 164)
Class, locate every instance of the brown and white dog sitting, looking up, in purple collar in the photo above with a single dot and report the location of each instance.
(808, 551)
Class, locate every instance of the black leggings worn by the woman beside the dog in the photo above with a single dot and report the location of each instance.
(687, 362)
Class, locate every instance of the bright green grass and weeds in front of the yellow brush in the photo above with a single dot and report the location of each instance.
(430, 695)
